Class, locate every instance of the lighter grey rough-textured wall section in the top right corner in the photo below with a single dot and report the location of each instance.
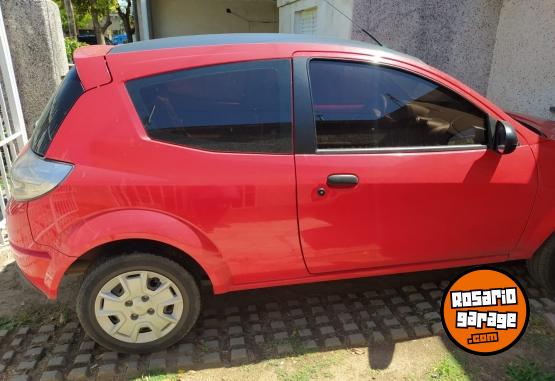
(523, 70)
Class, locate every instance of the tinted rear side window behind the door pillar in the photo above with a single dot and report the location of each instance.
(239, 107)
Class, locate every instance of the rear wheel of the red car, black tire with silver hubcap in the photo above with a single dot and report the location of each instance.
(144, 323)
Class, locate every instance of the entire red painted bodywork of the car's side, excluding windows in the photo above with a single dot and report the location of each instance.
(239, 215)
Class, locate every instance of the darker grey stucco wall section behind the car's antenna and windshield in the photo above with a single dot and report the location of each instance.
(454, 36)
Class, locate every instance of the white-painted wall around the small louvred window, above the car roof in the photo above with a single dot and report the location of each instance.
(329, 22)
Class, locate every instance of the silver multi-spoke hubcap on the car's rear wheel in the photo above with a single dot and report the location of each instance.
(138, 306)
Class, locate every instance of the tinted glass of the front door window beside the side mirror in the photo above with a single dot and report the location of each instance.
(359, 105)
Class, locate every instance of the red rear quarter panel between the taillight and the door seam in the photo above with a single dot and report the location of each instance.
(233, 213)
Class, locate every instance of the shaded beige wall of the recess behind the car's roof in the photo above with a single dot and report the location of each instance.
(178, 17)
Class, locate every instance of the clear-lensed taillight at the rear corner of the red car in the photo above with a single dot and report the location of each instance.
(33, 176)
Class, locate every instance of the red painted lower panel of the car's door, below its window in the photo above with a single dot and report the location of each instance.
(412, 208)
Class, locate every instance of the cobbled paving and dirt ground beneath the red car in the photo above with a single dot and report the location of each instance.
(239, 331)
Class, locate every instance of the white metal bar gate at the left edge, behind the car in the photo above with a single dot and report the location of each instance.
(12, 125)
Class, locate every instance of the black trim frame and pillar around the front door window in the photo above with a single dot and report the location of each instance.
(305, 130)
